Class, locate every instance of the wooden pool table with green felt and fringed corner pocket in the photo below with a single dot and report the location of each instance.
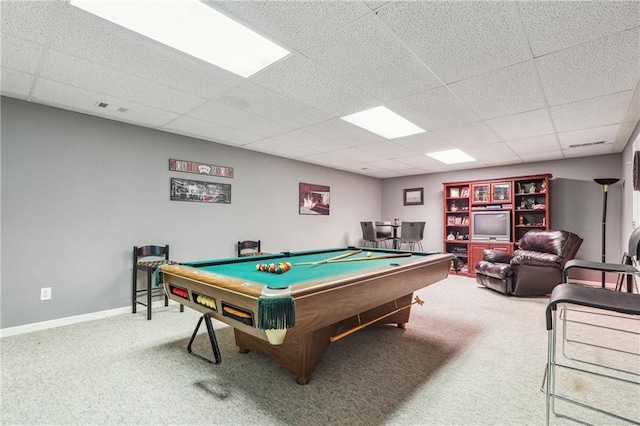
(319, 299)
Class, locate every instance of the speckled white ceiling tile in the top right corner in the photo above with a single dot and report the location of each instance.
(556, 25)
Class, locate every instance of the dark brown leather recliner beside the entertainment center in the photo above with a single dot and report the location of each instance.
(532, 270)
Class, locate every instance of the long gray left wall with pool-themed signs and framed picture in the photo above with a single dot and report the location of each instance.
(78, 192)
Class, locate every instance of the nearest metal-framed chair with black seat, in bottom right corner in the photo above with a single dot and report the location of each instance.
(581, 362)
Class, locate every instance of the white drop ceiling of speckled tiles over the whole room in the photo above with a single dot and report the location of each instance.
(506, 82)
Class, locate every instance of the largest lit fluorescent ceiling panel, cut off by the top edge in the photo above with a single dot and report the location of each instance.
(193, 28)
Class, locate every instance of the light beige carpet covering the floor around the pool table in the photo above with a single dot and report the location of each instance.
(469, 356)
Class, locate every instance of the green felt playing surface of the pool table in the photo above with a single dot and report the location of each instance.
(245, 269)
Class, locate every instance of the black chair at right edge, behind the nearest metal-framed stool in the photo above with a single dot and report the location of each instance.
(625, 269)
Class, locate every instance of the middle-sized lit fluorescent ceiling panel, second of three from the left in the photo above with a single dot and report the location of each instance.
(383, 122)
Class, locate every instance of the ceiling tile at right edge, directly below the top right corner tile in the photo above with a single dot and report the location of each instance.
(607, 65)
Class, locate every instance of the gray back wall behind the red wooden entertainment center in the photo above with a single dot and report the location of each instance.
(576, 200)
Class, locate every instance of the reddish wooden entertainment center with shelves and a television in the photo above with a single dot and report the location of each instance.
(492, 213)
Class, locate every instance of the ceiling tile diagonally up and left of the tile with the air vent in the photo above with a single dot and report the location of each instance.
(520, 126)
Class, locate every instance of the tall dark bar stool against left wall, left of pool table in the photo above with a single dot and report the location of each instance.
(147, 259)
